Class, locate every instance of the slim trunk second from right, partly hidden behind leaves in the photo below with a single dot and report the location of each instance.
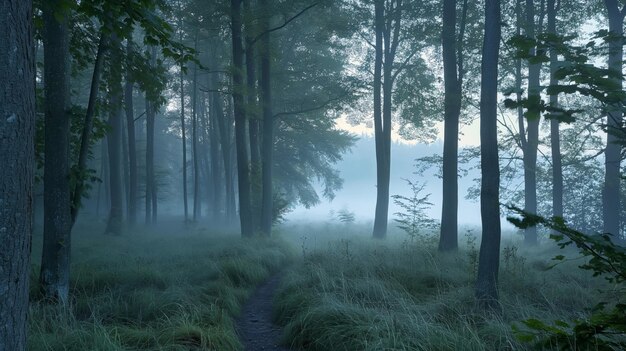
(555, 137)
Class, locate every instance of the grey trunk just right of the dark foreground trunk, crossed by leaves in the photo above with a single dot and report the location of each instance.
(532, 139)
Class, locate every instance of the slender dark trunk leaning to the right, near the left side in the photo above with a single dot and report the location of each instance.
(85, 140)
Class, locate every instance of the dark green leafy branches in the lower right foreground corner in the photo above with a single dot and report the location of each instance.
(605, 328)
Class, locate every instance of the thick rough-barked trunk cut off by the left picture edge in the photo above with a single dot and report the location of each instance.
(17, 157)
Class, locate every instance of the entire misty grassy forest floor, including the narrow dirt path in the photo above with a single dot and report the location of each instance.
(328, 286)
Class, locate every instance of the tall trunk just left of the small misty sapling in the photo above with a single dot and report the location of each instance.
(380, 219)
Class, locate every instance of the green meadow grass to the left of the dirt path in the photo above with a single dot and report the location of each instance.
(149, 290)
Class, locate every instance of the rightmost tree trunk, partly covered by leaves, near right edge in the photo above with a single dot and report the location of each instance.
(612, 154)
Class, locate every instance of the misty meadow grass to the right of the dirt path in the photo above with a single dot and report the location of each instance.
(351, 292)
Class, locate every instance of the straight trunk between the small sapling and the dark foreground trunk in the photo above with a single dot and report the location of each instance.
(453, 82)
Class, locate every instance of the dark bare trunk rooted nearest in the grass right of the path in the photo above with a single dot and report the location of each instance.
(489, 256)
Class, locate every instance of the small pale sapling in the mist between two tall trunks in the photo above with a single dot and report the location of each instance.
(413, 219)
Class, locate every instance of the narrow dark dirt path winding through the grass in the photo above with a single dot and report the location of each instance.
(255, 327)
